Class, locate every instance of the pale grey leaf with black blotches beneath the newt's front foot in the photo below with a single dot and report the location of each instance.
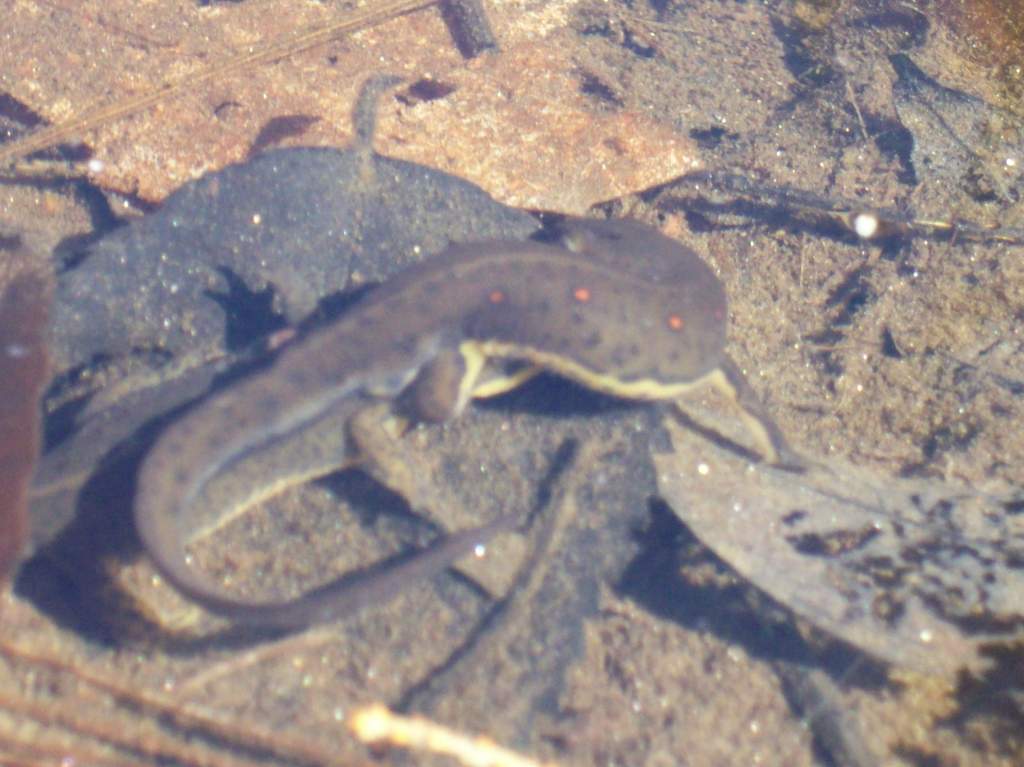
(922, 574)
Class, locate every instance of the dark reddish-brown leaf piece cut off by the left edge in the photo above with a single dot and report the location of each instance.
(24, 372)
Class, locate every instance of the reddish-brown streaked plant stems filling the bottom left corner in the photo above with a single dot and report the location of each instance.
(71, 714)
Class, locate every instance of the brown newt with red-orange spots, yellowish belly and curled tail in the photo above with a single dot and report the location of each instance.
(616, 307)
